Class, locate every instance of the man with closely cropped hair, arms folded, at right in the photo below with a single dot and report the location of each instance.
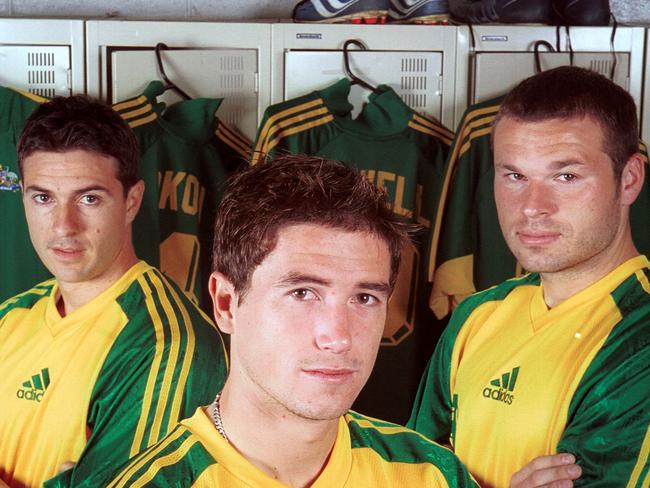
(551, 370)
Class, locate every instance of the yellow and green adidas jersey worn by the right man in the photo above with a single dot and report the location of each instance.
(512, 380)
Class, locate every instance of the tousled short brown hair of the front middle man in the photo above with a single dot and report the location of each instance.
(296, 189)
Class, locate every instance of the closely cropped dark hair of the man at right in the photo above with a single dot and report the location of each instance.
(569, 91)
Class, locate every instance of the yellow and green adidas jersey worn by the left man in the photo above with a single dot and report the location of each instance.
(103, 383)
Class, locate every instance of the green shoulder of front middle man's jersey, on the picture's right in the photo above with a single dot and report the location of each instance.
(395, 443)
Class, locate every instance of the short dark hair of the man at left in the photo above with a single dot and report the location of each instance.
(79, 122)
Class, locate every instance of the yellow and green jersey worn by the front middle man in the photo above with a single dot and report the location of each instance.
(367, 452)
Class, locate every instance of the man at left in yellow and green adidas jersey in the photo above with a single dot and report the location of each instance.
(98, 363)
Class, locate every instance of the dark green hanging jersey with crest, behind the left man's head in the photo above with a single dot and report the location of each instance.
(21, 267)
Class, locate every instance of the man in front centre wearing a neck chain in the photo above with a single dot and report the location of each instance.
(306, 254)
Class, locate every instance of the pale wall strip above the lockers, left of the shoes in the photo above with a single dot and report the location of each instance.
(150, 9)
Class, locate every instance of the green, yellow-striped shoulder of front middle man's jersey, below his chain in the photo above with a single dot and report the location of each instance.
(179, 456)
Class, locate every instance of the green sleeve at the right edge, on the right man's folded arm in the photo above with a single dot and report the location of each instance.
(610, 412)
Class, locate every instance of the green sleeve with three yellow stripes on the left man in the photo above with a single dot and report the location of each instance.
(120, 419)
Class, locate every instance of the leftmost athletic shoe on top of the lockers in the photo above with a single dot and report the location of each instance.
(334, 11)
